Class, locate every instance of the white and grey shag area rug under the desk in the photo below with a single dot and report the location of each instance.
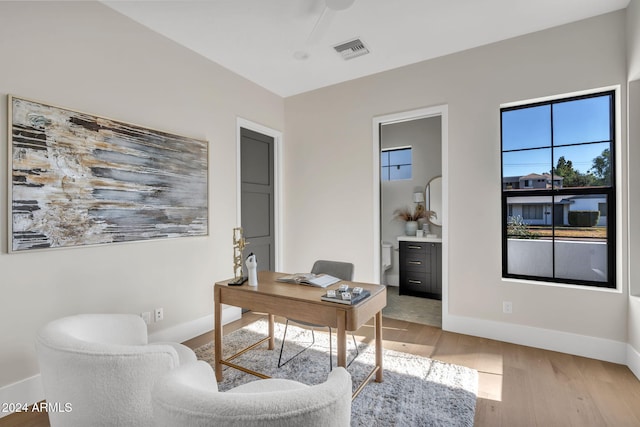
(416, 391)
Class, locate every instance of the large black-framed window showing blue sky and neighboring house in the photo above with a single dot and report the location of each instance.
(558, 190)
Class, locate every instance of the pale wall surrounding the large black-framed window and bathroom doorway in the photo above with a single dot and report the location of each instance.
(332, 126)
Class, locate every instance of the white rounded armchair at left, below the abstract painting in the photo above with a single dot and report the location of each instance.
(102, 366)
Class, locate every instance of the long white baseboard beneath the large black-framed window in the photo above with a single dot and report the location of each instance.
(547, 339)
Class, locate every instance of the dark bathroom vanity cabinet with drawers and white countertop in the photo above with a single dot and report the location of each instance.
(420, 264)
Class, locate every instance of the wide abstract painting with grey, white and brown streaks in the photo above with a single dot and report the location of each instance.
(79, 179)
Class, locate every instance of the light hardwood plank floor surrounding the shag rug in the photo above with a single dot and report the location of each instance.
(518, 386)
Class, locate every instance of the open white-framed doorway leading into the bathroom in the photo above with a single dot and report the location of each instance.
(398, 131)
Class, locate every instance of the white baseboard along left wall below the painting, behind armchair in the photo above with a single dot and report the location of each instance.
(30, 390)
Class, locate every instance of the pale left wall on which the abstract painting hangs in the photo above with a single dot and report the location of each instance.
(85, 56)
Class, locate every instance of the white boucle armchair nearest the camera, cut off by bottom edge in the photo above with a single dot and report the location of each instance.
(188, 396)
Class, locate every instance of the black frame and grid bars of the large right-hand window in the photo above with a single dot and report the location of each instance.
(608, 191)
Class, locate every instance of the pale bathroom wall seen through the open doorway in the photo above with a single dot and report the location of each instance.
(425, 138)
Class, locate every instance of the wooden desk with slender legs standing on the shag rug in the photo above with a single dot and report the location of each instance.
(302, 303)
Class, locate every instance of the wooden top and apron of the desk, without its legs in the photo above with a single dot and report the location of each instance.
(277, 298)
